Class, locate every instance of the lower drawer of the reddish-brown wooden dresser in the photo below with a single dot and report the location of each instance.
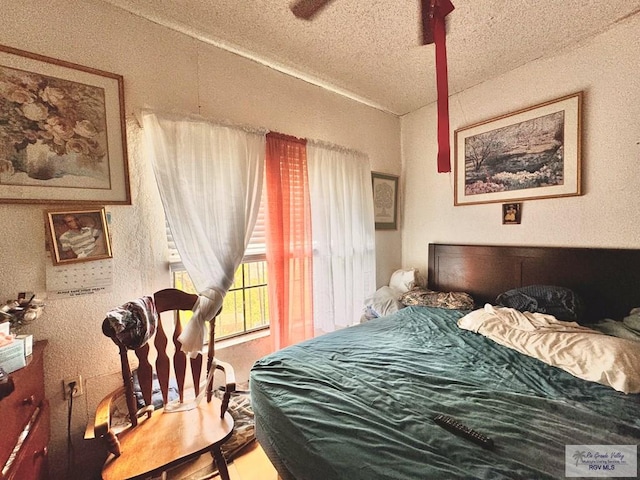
(32, 459)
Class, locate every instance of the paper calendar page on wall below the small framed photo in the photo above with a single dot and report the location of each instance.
(79, 279)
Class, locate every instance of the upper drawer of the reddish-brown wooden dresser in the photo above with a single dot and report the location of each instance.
(18, 407)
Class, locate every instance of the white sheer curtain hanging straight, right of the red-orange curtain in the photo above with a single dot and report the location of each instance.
(343, 230)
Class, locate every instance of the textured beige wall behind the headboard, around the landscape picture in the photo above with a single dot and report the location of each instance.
(607, 215)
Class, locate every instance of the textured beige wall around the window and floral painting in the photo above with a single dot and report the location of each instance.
(162, 70)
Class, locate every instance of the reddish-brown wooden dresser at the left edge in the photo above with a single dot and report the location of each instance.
(24, 422)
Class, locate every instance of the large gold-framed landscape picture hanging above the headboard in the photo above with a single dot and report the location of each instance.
(528, 154)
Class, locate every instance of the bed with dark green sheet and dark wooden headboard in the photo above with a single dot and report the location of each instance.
(359, 403)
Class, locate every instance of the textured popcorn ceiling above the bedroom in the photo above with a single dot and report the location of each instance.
(369, 49)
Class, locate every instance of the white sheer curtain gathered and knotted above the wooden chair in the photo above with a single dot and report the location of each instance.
(210, 178)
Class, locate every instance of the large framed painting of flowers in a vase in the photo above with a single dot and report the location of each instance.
(62, 132)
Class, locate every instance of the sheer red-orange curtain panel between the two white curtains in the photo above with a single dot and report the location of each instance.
(289, 244)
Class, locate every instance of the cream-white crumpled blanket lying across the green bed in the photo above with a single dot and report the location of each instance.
(581, 351)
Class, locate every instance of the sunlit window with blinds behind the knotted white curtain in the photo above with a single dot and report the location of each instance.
(246, 305)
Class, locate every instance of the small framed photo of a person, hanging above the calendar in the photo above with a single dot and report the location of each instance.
(78, 235)
